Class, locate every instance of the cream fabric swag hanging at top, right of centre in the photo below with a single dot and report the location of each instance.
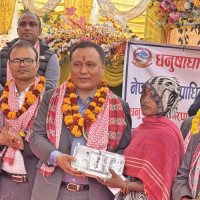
(122, 16)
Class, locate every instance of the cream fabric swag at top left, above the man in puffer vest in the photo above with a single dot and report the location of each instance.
(50, 5)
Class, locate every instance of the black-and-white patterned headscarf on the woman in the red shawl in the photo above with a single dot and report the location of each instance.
(165, 91)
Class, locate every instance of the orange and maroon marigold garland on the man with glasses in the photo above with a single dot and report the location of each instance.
(30, 98)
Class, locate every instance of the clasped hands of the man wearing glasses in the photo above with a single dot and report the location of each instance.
(11, 138)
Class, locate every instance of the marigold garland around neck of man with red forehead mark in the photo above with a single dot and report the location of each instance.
(73, 119)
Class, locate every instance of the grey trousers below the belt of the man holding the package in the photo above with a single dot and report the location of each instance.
(65, 194)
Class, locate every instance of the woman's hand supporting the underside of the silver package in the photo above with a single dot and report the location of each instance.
(114, 182)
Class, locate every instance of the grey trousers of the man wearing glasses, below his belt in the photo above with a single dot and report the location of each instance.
(10, 190)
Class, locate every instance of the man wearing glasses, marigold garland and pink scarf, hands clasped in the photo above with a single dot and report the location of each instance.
(19, 103)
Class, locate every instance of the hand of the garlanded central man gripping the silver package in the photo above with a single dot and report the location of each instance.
(63, 161)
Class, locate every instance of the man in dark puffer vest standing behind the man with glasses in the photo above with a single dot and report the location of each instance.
(29, 29)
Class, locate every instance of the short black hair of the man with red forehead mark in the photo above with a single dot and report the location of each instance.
(89, 44)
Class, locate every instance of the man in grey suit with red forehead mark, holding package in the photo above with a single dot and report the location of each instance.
(82, 111)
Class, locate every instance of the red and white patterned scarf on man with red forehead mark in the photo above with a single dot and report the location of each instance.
(104, 134)
